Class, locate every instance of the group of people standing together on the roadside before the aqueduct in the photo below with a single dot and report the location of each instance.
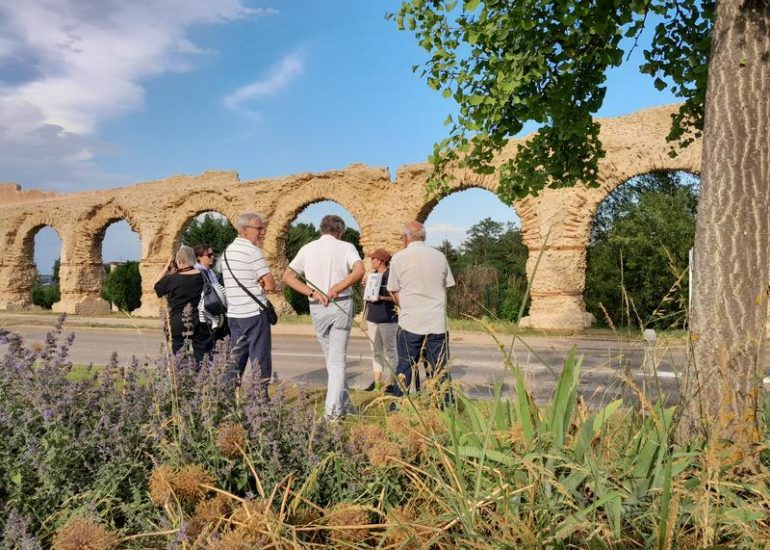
(406, 318)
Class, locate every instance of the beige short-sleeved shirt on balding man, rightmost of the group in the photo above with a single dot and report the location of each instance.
(421, 274)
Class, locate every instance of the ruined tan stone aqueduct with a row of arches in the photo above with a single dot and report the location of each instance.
(555, 224)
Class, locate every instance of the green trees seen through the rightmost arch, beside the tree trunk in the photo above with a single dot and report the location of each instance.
(638, 253)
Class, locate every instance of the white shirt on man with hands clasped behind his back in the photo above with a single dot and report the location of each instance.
(325, 261)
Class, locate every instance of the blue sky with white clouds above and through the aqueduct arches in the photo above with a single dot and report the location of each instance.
(110, 93)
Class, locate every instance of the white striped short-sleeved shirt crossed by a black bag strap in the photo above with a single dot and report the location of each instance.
(249, 265)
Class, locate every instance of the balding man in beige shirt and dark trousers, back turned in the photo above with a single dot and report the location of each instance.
(419, 277)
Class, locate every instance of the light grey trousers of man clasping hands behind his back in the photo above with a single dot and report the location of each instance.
(332, 326)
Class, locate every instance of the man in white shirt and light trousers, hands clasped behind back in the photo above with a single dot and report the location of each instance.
(329, 266)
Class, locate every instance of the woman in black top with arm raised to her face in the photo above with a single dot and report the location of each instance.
(182, 287)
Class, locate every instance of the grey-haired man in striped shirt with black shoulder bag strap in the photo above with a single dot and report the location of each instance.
(249, 327)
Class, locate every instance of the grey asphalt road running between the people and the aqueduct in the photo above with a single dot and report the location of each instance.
(476, 363)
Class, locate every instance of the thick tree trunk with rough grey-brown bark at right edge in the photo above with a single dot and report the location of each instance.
(732, 240)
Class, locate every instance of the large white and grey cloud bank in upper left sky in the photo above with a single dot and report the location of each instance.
(68, 65)
